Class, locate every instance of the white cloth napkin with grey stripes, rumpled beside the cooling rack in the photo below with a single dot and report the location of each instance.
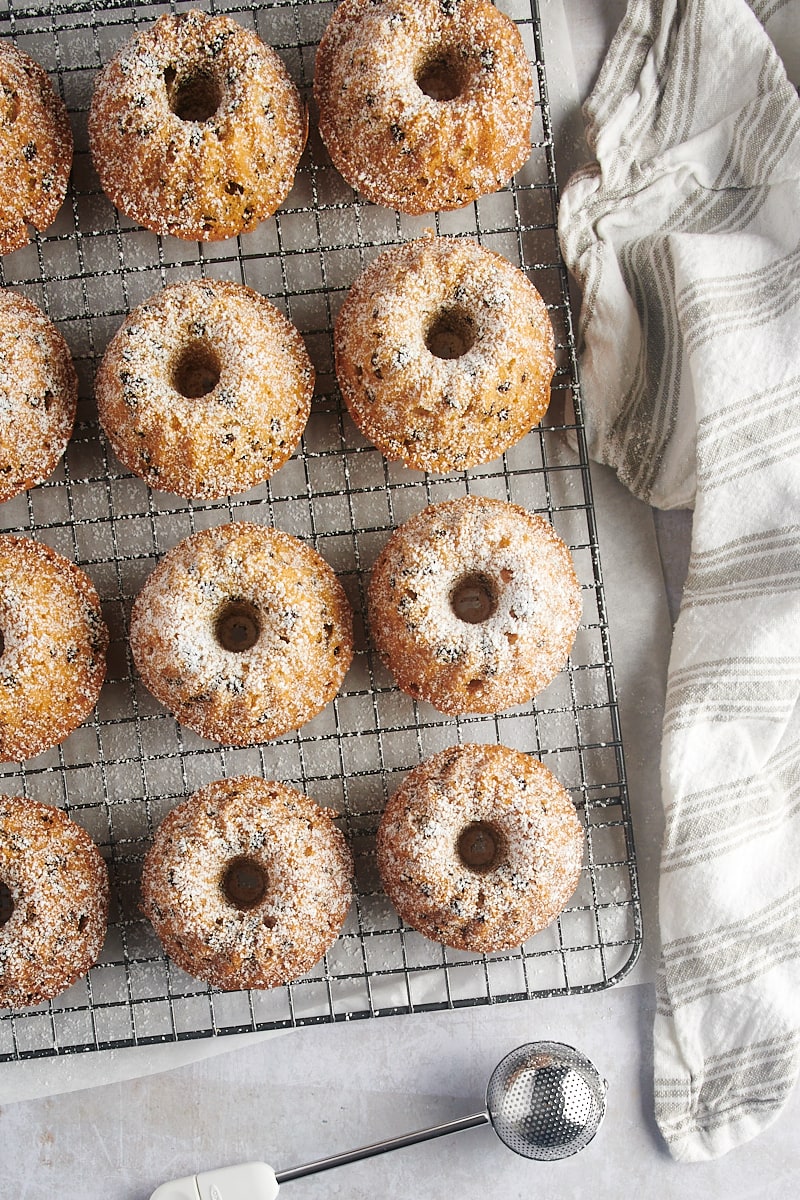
(685, 238)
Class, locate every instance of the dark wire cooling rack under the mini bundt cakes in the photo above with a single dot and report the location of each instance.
(121, 773)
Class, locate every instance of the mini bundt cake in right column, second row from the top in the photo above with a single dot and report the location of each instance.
(444, 355)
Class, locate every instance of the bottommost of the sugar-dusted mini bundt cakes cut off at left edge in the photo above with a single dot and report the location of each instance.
(58, 890)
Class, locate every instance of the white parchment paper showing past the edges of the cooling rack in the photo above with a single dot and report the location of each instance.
(641, 633)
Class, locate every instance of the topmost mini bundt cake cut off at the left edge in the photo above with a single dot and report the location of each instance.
(35, 148)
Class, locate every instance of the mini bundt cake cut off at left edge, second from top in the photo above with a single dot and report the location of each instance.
(39, 394)
